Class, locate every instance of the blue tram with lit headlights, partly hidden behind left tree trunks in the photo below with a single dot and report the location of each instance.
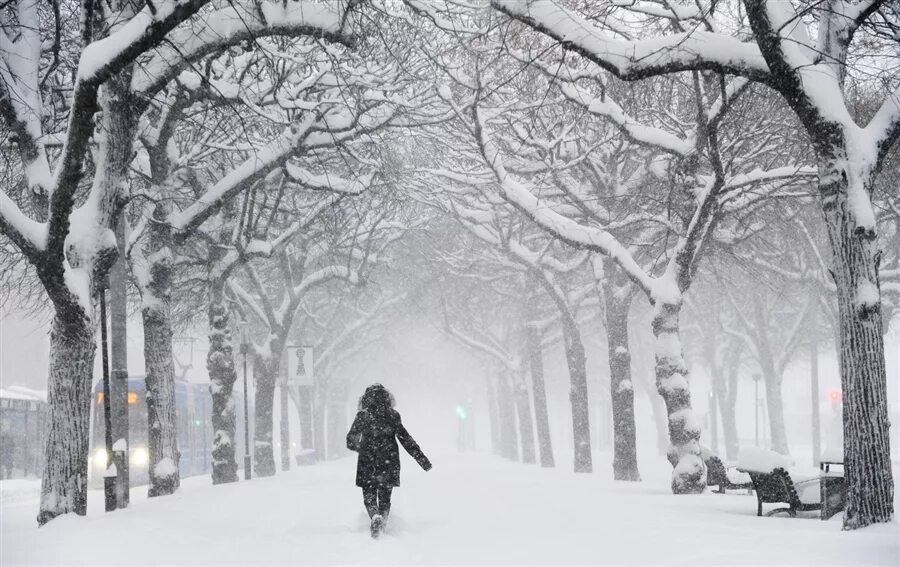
(193, 408)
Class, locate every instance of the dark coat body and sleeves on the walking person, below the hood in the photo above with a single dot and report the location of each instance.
(374, 436)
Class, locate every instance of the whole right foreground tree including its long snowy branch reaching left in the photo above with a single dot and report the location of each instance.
(803, 54)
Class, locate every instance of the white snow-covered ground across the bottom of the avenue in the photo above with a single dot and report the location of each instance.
(468, 509)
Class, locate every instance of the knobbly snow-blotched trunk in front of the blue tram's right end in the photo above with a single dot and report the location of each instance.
(222, 376)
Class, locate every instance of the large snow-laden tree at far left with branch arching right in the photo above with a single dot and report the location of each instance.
(124, 53)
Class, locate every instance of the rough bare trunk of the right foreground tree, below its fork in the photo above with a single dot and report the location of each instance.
(867, 451)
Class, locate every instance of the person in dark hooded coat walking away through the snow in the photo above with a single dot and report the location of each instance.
(374, 436)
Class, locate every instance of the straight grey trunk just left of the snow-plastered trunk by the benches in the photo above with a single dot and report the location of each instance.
(621, 387)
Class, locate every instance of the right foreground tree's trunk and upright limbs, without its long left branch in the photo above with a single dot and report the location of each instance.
(848, 160)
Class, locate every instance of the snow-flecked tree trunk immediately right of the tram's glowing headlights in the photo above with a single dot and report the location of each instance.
(162, 434)
